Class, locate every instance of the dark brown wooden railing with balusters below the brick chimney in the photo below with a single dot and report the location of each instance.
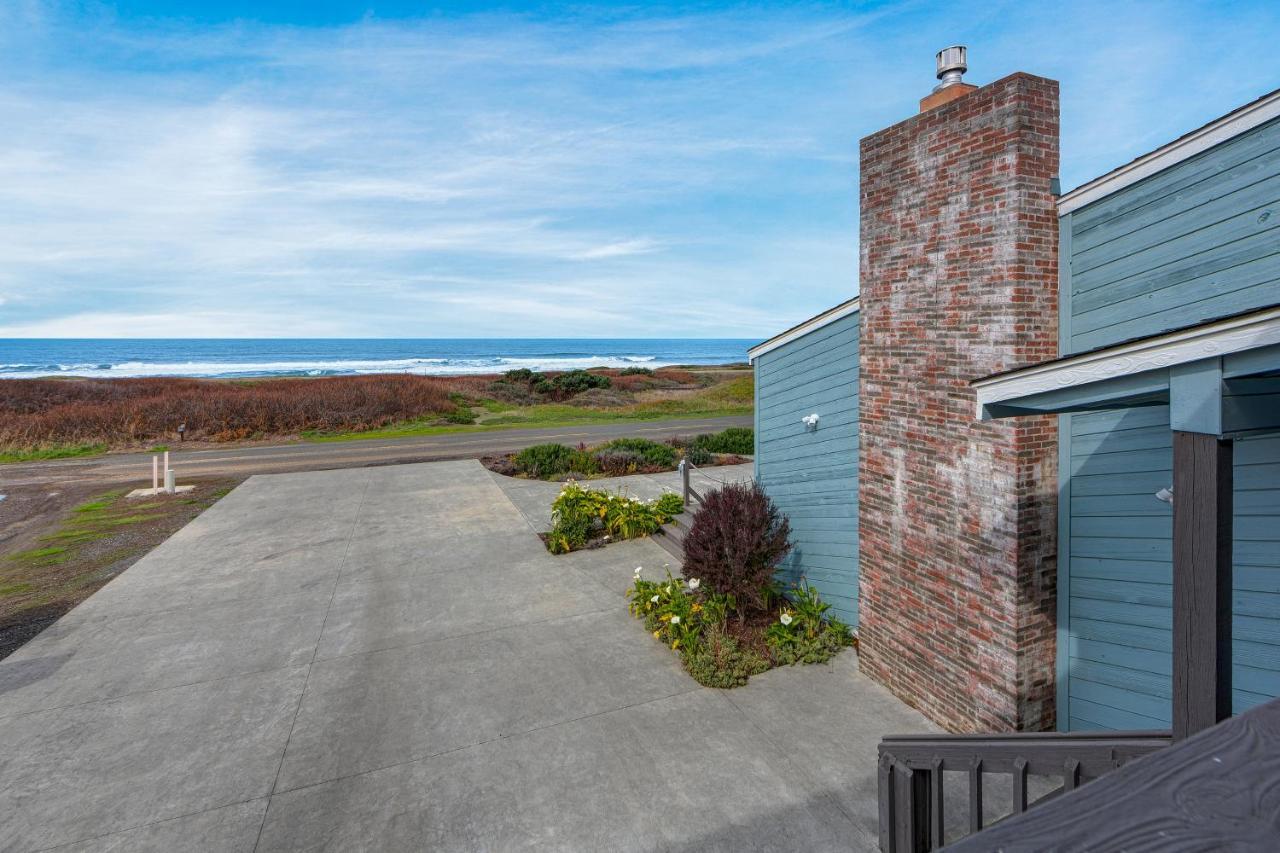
(912, 776)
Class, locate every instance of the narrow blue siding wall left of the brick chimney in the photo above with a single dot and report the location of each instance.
(813, 476)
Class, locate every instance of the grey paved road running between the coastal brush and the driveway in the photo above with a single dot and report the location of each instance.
(278, 459)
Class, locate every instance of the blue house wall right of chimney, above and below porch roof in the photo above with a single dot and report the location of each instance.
(1194, 243)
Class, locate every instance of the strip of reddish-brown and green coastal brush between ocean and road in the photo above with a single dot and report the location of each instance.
(51, 418)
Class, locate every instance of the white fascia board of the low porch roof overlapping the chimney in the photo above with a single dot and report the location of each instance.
(1209, 341)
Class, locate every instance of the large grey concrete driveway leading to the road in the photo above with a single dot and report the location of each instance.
(387, 659)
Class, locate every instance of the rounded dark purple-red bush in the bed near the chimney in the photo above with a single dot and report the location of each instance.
(735, 544)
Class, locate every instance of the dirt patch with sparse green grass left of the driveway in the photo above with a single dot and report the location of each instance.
(61, 546)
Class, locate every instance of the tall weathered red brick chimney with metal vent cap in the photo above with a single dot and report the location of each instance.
(958, 518)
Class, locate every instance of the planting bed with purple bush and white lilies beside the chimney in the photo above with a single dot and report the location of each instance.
(728, 618)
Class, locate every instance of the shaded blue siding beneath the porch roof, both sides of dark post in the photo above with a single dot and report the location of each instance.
(1121, 594)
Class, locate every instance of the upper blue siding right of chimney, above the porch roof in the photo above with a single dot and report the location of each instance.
(1197, 241)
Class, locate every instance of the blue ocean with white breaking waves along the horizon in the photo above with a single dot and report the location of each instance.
(26, 359)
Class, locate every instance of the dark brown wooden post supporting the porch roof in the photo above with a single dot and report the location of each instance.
(1203, 582)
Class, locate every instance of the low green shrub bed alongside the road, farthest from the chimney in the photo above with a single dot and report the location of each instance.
(624, 457)
